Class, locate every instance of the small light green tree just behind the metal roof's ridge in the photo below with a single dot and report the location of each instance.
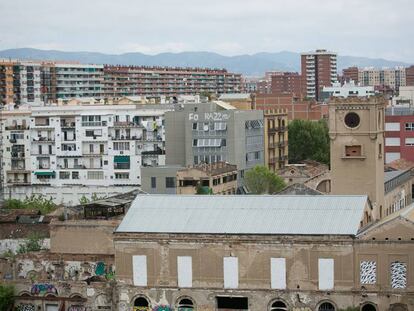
(260, 180)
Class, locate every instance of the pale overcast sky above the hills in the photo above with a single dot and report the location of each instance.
(372, 28)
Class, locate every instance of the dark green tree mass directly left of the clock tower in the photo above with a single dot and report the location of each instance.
(308, 140)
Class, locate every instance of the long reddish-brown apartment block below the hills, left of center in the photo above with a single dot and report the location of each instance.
(168, 81)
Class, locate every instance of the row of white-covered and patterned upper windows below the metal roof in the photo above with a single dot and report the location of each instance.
(278, 272)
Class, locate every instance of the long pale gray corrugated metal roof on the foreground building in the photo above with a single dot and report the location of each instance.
(248, 214)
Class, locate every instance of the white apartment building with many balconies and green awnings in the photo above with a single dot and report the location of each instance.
(66, 151)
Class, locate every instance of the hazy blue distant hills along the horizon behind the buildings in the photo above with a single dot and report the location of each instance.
(249, 65)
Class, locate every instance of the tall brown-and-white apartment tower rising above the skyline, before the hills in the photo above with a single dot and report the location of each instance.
(318, 70)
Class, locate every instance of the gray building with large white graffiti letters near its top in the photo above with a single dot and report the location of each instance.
(212, 132)
